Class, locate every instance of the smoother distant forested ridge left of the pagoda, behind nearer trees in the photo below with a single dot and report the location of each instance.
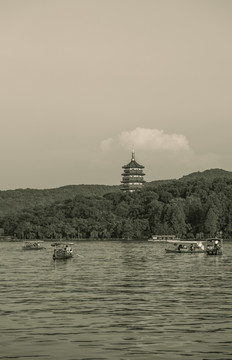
(13, 201)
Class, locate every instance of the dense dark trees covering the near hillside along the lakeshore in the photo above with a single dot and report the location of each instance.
(192, 209)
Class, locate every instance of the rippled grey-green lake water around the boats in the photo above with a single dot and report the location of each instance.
(121, 300)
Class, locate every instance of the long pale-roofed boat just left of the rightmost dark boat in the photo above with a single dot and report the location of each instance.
(185, 247)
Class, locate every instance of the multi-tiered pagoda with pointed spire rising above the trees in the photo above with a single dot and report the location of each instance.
(132, 177)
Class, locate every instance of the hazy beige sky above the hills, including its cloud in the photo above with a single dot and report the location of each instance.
(84, 82)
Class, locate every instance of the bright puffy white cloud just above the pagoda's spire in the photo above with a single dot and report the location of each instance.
(153, 139)
